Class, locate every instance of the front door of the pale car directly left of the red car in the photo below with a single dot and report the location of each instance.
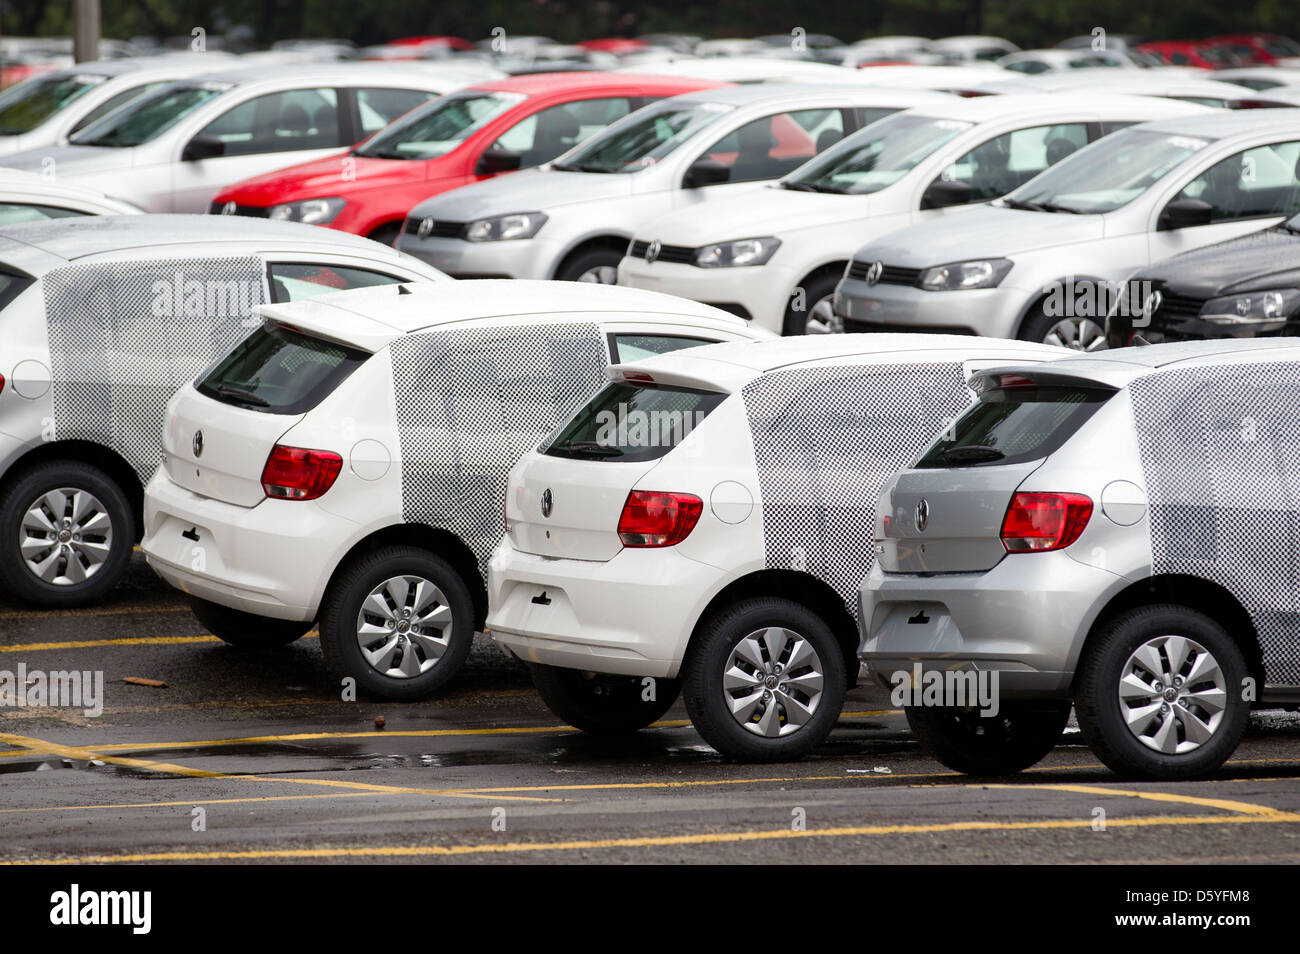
(254, 137)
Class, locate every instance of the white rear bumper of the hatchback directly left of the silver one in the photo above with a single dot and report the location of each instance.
(631, 615)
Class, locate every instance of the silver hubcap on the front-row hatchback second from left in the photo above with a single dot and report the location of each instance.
(405, 627)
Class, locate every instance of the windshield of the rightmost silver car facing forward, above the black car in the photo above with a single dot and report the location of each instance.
(1107, 175)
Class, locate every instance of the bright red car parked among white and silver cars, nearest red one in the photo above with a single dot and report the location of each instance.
(465, 137)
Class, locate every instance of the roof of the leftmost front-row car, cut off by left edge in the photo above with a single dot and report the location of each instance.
(70, 240)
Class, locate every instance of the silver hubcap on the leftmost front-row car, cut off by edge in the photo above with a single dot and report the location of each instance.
(66, 536)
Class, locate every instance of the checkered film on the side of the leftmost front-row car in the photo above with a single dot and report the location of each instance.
(125, 336)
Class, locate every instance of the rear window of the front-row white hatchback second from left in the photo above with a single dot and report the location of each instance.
(280, 371)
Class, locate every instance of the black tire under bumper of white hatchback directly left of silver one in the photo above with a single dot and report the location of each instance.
(601, 704)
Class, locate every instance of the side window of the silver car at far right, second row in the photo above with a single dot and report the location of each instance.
(1253, 184)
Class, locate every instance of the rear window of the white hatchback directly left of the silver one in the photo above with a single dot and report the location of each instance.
(632, 422)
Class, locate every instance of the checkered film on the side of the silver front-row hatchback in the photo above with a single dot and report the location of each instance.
(1221, 457)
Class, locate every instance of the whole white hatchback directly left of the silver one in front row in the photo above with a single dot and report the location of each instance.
(704, 524)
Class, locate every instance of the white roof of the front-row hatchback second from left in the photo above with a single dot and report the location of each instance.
(426, 306)
